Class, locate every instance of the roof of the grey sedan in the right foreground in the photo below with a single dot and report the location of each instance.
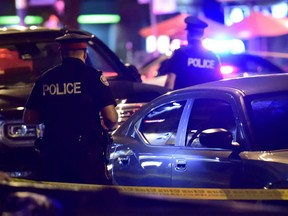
(246, 85)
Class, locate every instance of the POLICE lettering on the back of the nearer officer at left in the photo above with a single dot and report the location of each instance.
(62, 88)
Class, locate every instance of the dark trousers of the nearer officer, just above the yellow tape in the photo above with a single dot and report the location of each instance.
(75, 165)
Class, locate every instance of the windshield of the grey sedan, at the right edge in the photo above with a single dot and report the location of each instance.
(270, 121)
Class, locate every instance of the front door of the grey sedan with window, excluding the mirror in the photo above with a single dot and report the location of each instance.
(195, 165)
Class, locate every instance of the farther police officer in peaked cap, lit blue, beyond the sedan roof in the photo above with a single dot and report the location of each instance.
(192, 64)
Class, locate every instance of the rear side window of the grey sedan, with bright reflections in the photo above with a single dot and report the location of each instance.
(159, 127)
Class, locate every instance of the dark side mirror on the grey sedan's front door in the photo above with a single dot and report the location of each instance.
(216, 138)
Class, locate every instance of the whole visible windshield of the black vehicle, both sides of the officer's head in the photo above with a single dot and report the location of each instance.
(22, 63)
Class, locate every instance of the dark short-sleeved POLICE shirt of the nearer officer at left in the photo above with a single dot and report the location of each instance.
(69, 98)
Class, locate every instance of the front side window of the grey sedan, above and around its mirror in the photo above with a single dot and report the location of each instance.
(207, 114)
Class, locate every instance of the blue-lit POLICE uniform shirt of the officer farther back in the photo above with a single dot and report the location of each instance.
(193, 65)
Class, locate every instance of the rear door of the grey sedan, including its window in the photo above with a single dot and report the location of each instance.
(144, 158)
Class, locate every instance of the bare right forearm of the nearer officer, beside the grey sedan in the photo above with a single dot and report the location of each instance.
(110, 117)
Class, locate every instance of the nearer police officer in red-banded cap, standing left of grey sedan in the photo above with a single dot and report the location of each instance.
(68, 99)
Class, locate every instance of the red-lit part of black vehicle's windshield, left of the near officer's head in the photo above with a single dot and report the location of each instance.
(23, 63)
